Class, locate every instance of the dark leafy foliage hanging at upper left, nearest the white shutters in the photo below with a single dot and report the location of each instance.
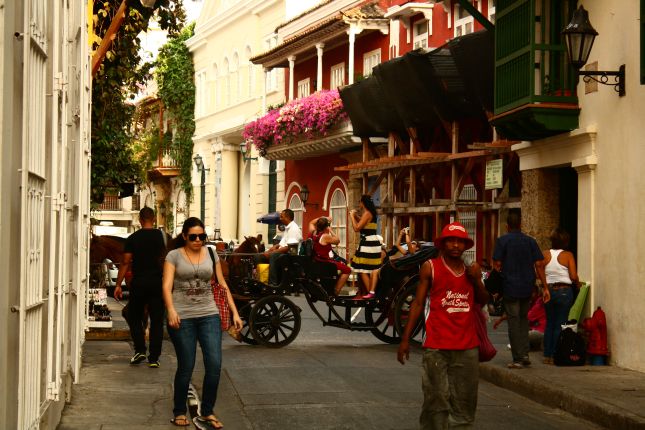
(122, 72)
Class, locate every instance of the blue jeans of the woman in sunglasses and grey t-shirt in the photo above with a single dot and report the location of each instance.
(208, 332)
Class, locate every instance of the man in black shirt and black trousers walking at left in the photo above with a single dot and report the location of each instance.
(144, 250)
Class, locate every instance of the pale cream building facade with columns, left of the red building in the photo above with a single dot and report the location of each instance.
(231, 95)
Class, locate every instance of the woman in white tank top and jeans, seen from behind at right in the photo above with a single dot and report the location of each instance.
(562, 278)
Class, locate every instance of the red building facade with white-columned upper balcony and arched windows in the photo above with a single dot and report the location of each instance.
(339, 44)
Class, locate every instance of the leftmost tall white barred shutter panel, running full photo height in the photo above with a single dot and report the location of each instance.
(32, 213)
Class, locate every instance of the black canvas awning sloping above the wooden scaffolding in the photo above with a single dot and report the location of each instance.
(422, 89)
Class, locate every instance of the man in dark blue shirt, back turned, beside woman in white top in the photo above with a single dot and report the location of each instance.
(518, 257)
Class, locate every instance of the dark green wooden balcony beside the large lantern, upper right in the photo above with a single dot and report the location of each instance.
(535, 86)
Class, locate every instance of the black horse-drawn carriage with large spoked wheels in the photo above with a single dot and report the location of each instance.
(272, 319)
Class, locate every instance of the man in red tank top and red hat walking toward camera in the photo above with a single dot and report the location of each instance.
(447, 291)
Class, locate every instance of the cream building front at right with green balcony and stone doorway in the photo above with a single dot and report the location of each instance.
(581, 147)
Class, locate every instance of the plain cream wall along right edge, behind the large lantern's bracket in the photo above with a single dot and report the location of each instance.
(618, 261)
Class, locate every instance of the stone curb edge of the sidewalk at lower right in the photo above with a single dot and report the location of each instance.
(557, 397)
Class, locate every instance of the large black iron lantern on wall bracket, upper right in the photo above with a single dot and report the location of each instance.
(580, 35)
